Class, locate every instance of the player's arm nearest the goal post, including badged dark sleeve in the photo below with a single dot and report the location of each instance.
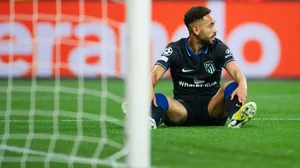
(161, 67)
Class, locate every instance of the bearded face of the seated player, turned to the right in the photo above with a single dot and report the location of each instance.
(206, 30)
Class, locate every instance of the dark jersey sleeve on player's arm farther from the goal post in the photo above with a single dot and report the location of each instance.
(224, 55)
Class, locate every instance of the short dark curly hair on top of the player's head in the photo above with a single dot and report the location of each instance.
(195, 13)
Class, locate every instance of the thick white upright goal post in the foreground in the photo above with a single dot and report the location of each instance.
(138, 82)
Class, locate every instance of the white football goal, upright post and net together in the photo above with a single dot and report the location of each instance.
(62, 65)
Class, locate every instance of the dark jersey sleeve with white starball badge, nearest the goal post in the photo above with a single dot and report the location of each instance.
(166, 57)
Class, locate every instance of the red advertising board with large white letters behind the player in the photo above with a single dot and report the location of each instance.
(50, 37)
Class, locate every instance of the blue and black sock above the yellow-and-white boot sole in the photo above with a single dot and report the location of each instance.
(231, 106)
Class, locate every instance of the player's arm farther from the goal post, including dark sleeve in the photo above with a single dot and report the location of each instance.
(228, 62)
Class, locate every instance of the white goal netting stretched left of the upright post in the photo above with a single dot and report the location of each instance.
(58, 122)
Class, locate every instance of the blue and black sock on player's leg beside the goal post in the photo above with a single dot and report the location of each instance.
(159, 113)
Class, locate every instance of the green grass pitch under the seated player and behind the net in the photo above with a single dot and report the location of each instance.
(271, 139)
